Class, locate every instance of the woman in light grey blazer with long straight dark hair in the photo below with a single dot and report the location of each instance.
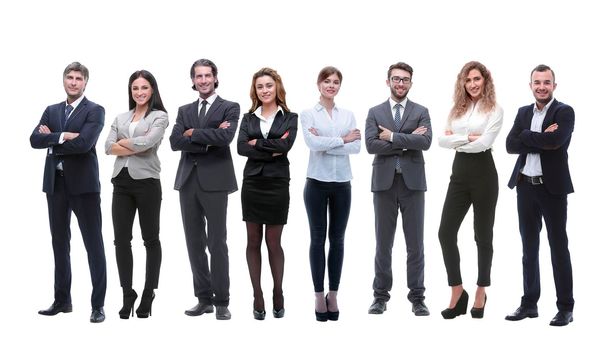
(134, 138)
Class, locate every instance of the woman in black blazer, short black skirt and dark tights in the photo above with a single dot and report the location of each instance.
(266, 135)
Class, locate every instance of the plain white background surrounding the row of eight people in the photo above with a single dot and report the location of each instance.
(40, 38)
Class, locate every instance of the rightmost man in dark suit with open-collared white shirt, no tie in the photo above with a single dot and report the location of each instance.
(540, 135)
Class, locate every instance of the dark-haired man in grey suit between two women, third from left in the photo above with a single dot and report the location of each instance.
(203, 132)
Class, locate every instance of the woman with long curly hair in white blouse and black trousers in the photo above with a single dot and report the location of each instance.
(473, 124)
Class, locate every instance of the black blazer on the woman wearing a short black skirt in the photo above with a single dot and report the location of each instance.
(261, 162)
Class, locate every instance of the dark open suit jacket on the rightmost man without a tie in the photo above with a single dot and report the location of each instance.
(551, 146)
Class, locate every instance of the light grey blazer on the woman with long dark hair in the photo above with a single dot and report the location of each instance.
(145, 141)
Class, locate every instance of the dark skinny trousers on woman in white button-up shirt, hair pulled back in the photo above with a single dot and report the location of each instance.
(320, 196)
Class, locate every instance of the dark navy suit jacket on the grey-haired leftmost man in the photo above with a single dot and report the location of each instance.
(80, 166)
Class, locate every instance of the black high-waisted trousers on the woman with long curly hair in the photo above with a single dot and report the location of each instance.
(473, 182)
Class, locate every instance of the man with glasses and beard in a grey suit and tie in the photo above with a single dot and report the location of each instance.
(396, 132)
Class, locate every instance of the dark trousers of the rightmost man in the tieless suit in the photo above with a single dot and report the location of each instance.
(535, 202)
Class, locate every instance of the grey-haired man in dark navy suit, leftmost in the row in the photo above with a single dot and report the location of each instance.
(69, 131)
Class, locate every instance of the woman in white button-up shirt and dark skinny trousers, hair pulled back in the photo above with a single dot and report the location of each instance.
(331, 134)
